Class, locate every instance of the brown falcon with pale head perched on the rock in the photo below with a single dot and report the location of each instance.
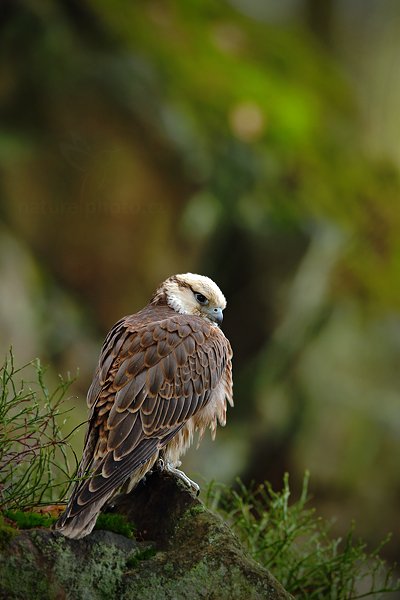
(163, 374)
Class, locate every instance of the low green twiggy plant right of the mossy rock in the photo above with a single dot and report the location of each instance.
(296, 545)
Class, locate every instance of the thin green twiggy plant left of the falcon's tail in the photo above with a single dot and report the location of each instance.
(33, 460)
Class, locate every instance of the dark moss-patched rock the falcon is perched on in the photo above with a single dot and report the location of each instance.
(185, 551)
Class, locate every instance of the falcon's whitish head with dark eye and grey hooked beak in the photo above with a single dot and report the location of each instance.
(192, 294)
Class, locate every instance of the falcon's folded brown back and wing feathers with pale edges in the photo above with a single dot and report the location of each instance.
(151, 379)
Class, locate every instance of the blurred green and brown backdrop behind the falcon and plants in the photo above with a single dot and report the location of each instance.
(255, 142)
